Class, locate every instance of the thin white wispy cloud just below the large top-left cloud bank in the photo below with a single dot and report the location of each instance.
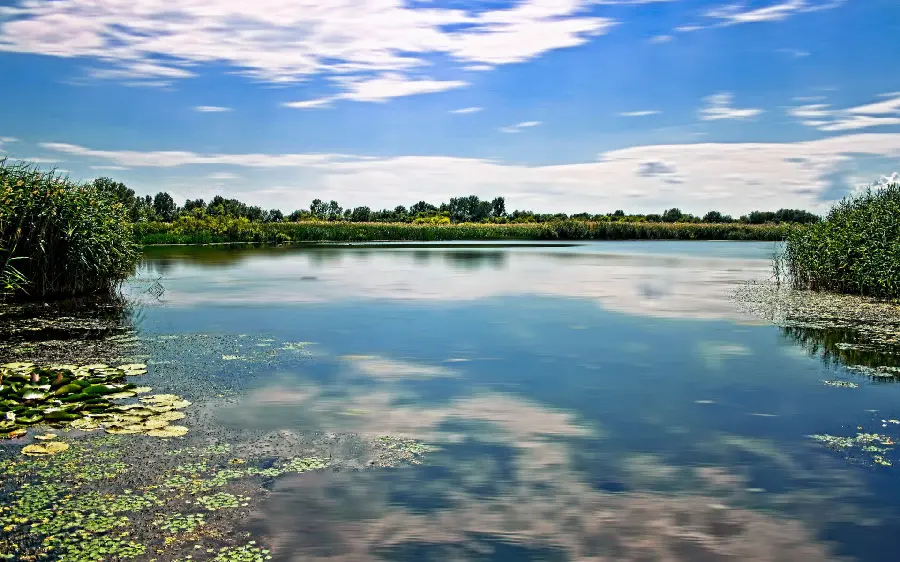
(380, 89)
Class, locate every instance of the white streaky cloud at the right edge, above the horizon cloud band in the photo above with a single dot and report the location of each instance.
(877, 114)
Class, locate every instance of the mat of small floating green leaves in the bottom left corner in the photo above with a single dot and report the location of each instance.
(155, 506)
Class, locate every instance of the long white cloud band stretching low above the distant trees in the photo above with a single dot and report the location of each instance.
(730, 177)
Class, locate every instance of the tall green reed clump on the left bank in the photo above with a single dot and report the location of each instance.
(59, 237)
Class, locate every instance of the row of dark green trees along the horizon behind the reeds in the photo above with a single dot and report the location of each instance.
(162, 208)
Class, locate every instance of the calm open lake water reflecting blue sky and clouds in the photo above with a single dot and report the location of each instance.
(600, 401)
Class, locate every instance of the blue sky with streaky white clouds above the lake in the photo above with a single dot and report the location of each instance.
(559, 105)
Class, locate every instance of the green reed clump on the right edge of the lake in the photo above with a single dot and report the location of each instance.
(855, 250)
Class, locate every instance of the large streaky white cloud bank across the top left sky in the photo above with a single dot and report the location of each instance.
(278, 41)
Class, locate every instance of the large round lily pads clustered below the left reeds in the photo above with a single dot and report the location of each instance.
(85, 398)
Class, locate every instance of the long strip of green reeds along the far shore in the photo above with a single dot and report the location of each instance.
(241, 230)
